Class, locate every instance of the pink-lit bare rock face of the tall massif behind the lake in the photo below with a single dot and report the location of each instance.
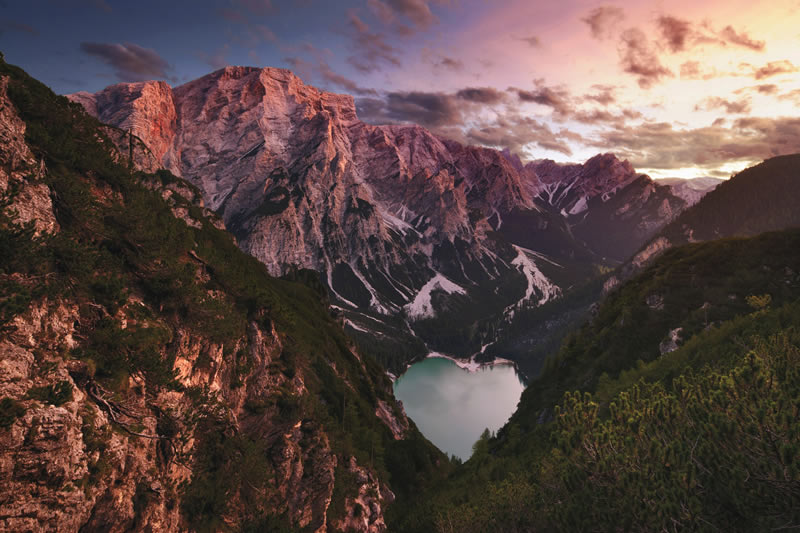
(301, 181)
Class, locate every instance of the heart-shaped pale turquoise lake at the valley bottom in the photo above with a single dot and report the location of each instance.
(452, 406)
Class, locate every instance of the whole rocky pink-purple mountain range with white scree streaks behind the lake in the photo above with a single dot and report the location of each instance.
(415, 236)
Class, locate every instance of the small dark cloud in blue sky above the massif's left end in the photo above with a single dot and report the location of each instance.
(130, 62)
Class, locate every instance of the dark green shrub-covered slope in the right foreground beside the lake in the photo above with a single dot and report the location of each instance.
(670, 408)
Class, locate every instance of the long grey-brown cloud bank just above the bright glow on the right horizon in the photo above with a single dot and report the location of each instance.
(659, 145)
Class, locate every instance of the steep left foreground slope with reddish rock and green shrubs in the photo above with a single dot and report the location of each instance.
(153, 377)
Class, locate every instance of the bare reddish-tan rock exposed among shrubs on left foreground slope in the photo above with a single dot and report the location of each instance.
(76, 457)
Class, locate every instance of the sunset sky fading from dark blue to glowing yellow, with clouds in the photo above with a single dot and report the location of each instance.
(681, 88)
